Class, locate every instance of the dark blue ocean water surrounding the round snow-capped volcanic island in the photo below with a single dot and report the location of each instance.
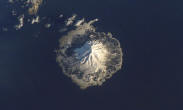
(150, 33)
